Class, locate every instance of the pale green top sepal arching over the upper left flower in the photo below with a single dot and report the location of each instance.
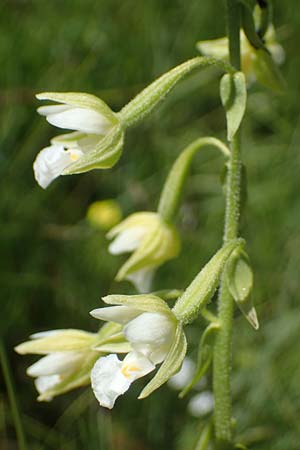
(81, 100)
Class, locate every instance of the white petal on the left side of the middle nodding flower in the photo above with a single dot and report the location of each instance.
(128, 240)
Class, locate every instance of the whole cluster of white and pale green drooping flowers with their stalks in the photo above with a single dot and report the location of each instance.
(143, 327)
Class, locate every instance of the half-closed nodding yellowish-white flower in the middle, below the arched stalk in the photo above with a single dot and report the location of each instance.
(152, 241)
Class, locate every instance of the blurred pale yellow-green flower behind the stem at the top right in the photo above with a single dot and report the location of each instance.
(252, 60)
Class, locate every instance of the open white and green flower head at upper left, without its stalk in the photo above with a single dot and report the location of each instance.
(96, 140)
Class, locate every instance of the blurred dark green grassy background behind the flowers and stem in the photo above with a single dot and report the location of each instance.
(55, 266)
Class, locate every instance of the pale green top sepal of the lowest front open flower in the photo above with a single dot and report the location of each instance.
(141, 302)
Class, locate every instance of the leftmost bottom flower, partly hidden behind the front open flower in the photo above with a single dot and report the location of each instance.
(69, 357)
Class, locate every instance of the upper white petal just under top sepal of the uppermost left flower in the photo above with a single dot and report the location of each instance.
(80, 119)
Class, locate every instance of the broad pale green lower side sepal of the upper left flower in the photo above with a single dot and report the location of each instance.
(103, 156)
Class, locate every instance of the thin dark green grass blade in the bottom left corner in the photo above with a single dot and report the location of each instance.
(12, 398)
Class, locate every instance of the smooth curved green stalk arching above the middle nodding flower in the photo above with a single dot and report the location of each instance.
(172, 190)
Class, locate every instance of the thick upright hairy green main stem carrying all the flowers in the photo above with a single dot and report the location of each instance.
(222, 348)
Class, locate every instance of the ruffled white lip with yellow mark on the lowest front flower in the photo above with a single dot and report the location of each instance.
(110, 377)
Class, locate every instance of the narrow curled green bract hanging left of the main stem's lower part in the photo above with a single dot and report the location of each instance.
(205, 354)
